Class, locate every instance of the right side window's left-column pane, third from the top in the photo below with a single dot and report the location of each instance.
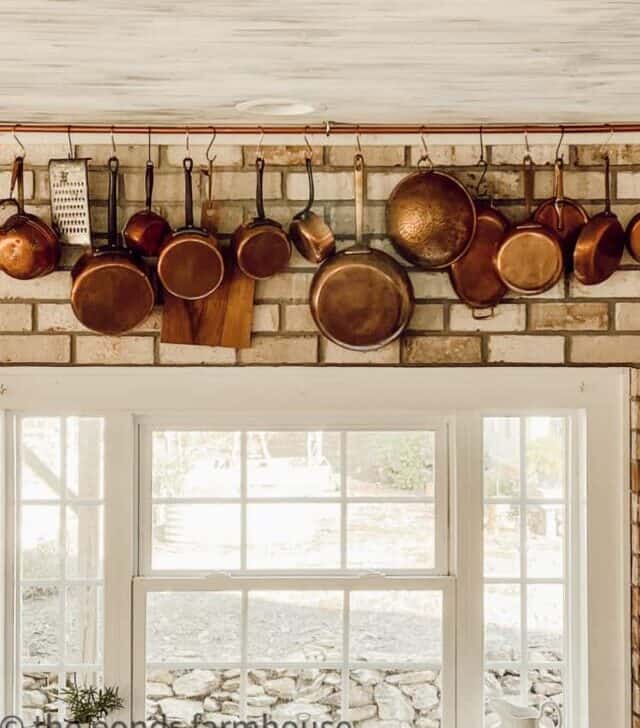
(502, 622)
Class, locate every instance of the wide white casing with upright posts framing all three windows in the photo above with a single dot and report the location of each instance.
(596, 397)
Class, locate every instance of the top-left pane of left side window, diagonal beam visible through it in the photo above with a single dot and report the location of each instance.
(40, 458)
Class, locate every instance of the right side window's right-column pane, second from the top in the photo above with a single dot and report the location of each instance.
(545, 541)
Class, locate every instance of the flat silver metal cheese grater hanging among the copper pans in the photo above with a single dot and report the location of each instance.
(69, 190)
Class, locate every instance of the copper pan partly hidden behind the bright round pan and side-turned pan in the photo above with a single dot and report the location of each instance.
(562, 215)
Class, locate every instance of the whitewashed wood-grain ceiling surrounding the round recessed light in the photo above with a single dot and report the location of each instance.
(362, 61)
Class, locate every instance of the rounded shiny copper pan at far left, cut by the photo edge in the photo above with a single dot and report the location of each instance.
(29, 248)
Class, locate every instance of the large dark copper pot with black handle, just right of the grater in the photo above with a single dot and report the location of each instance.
(111, 291)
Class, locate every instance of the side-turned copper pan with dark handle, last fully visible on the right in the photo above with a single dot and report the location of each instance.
(601, 243)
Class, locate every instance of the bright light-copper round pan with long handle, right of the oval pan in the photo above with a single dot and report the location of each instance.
(529, 261)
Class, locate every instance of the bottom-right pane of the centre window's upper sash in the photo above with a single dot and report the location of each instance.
(391, 535)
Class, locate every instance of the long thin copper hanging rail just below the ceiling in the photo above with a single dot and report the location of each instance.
(327, 128)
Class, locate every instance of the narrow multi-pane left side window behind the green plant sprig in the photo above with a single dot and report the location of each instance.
(59, 557)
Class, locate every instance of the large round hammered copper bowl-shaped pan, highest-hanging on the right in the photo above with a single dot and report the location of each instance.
(431, 218)
